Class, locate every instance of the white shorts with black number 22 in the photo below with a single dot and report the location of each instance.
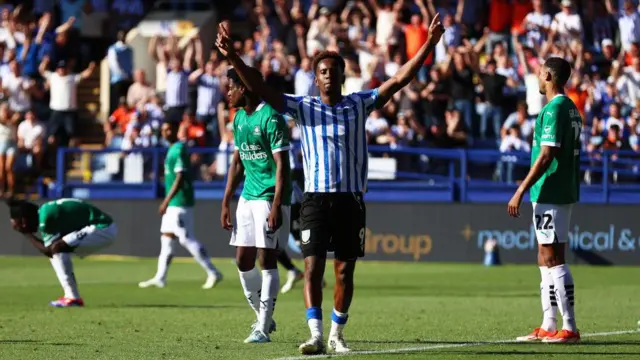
(552, 222)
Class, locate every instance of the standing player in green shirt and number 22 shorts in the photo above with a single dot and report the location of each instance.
(555, 187)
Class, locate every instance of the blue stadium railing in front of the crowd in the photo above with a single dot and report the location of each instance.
(396, 174)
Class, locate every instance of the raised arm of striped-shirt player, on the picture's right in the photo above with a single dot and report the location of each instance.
(409, 70)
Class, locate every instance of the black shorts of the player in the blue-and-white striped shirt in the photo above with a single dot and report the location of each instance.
(333, 222)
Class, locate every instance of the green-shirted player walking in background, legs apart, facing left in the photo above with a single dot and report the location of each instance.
(177, 213)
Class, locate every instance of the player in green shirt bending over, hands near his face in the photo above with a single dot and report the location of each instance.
(66, 226)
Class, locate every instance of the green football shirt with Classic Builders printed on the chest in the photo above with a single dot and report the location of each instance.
(257, 137)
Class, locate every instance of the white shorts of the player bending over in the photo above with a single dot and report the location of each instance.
(90, 239)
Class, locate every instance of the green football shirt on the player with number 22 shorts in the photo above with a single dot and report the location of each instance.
(559, 125)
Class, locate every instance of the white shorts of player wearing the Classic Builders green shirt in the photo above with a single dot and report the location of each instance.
(251, 229)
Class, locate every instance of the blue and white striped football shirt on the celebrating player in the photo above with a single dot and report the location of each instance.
(334, 143)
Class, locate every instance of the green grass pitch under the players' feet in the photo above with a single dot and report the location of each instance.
(396, 306)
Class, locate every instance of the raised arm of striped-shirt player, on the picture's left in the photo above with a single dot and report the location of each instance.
(253, 82)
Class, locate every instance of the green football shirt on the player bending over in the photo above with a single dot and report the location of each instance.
(63, 216)
